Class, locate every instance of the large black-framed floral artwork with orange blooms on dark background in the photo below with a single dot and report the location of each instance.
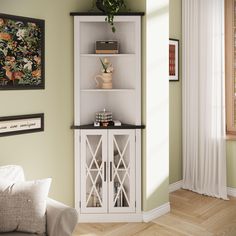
(21, 53)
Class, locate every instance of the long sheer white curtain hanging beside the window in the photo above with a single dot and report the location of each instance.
(204, 153)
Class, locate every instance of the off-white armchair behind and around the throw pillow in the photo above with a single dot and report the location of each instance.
(61, 219)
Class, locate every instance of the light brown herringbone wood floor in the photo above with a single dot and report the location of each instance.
(191, 214)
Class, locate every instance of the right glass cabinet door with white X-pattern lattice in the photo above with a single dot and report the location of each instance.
(121, 170)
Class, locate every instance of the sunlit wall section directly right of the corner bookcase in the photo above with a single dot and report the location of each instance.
(155, 101)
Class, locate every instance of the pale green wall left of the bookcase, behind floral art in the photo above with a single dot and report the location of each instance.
(49, 153)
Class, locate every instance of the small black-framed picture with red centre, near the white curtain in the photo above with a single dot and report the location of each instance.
(173, 60)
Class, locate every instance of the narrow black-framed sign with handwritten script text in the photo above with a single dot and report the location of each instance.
(14, 125)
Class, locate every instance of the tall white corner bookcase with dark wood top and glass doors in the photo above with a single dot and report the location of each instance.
(107, 160)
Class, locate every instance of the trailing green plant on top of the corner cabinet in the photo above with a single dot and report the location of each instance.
(110, 8)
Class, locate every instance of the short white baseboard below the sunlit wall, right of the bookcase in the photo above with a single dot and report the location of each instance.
(157, 212)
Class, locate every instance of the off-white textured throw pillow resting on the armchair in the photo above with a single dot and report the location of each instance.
(23, 206)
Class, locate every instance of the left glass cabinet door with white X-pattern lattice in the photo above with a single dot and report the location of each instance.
(93, 171)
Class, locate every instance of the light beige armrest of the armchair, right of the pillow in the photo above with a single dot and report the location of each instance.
(61, 219)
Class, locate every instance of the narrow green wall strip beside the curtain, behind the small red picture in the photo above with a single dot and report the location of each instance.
(176, 98)
